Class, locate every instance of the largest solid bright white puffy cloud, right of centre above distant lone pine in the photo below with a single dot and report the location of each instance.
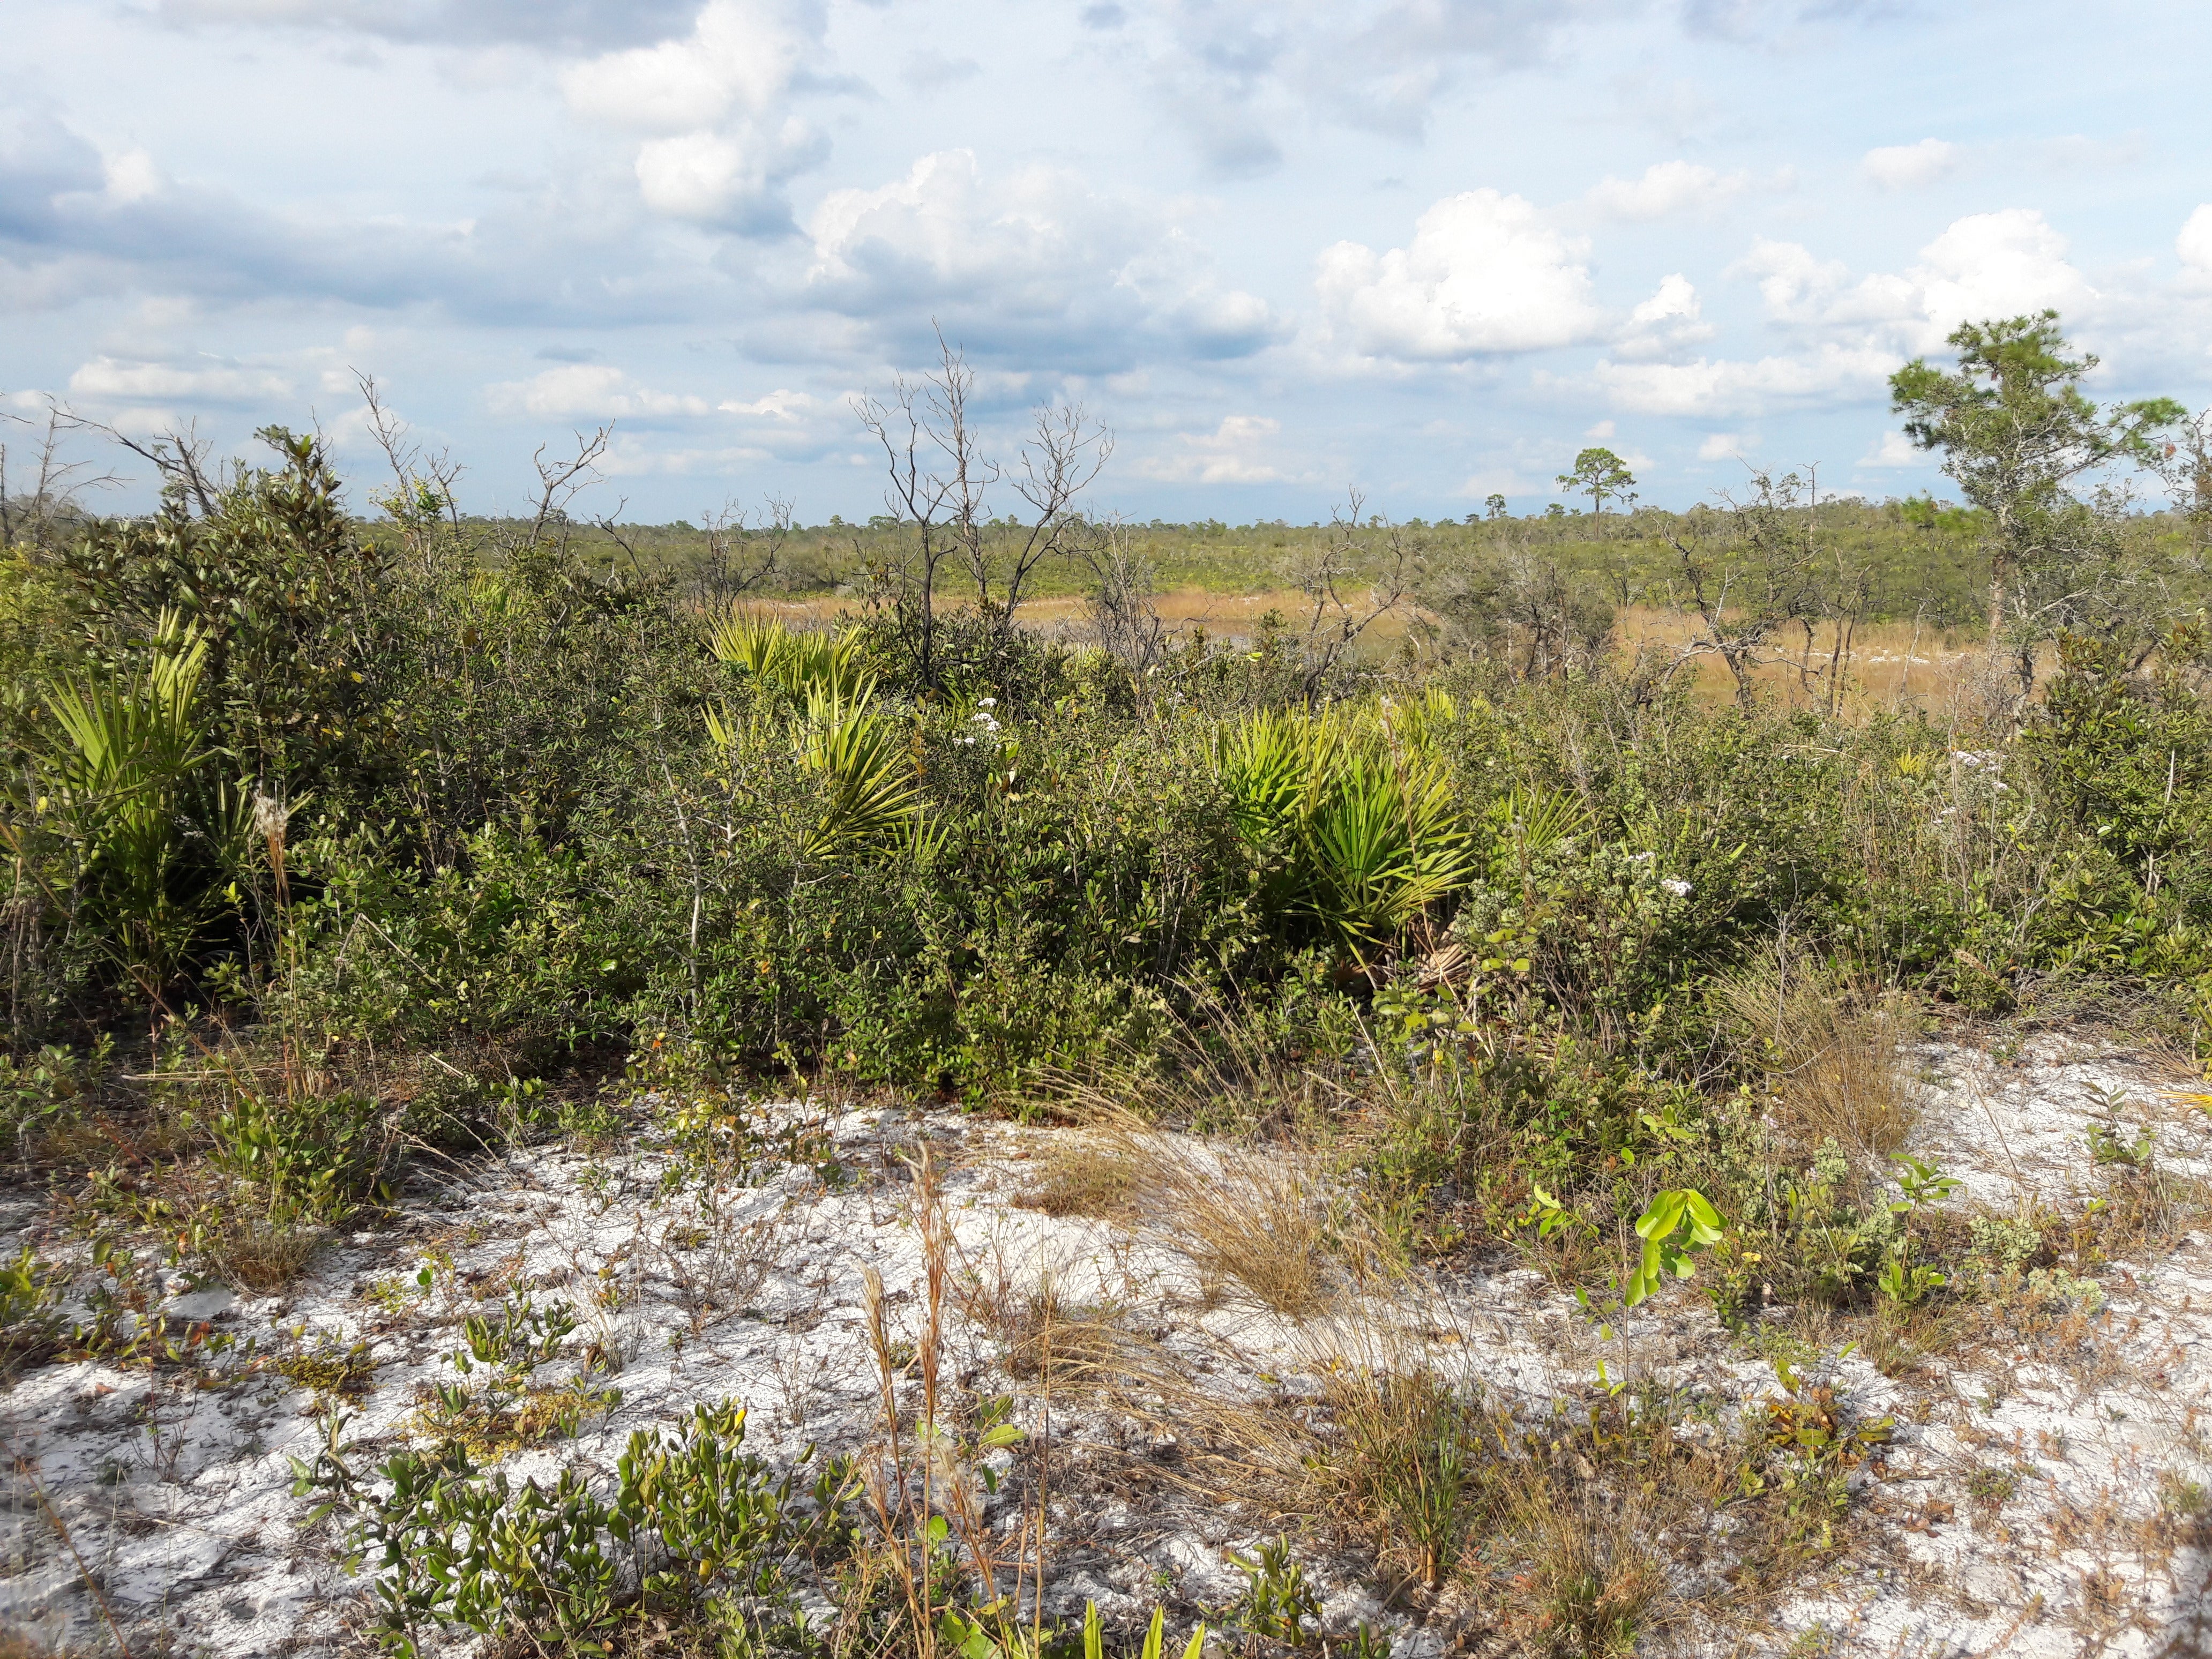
(1483, 273)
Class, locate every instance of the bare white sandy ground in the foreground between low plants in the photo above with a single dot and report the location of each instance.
(2016, 1512)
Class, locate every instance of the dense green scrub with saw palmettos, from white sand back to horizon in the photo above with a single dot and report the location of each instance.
(377, 835)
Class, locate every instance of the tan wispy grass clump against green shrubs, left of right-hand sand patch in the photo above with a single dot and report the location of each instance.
(1833, 1045)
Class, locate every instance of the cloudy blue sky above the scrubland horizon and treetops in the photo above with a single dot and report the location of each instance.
(1419, 249)
